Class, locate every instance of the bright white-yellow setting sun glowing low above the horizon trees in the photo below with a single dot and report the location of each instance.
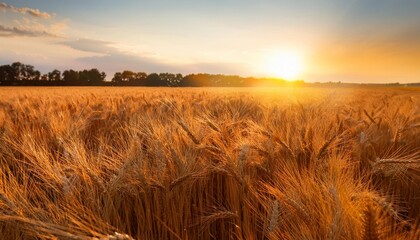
(285, 65)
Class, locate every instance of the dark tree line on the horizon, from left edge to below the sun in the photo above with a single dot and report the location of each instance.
(19, 74)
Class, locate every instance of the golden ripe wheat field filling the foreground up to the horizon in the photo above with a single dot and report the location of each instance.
(209, 163)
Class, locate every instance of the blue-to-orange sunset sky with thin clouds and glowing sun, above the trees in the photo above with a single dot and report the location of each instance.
(360, 41)
